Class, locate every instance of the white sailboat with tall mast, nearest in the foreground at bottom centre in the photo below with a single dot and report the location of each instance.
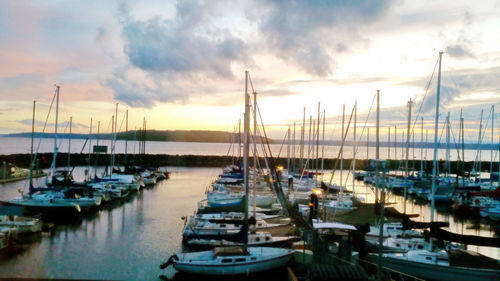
(238, 259)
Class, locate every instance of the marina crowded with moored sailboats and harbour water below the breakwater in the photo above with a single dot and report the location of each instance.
(247, 219)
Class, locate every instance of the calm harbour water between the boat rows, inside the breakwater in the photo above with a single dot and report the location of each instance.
(129, 241)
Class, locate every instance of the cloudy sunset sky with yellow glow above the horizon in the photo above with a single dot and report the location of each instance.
(181, 64)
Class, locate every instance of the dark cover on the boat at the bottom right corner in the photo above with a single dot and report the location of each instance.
(465, 258)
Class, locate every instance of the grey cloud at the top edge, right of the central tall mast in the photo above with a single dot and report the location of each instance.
(312, 33)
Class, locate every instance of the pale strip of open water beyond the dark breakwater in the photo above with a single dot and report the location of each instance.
(22, 145)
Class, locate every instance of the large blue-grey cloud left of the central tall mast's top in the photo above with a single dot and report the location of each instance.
(175, 56)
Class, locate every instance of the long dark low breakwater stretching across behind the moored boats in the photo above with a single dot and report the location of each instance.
(80, 159)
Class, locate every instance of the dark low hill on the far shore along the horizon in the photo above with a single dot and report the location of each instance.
(151, 135)
